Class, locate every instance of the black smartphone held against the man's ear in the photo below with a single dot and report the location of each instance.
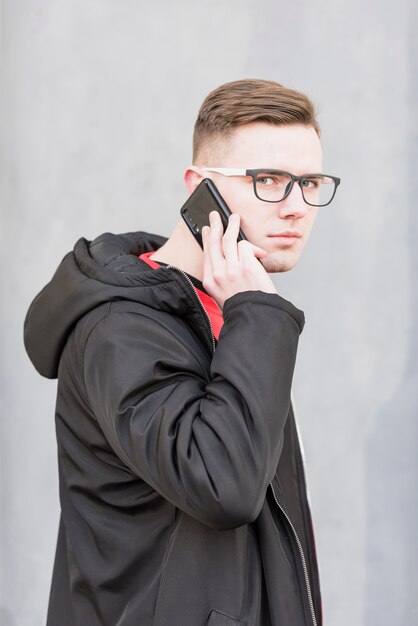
(195, 211)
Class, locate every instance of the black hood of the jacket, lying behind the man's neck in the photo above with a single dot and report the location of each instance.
(104, 270)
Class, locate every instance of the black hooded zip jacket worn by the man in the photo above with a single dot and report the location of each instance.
(181, 481)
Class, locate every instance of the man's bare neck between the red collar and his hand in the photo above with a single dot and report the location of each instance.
(182, 251)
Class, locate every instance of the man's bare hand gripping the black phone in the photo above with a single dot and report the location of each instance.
(230, 267)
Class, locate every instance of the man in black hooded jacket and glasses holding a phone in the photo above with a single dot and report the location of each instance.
(181, 482)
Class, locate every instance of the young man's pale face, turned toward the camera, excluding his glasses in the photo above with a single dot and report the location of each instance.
(295, 149)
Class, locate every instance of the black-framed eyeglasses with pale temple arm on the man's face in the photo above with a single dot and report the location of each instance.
(275, 185)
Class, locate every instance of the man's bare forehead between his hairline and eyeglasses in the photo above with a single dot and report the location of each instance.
(295, 148)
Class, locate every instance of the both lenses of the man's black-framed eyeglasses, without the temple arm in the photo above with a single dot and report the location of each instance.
(316, 190)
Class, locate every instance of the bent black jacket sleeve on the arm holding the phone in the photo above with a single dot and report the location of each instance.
(207, 441)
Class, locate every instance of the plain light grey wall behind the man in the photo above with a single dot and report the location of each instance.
(98, 103)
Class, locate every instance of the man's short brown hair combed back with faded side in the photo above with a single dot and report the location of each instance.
(245, 101)
